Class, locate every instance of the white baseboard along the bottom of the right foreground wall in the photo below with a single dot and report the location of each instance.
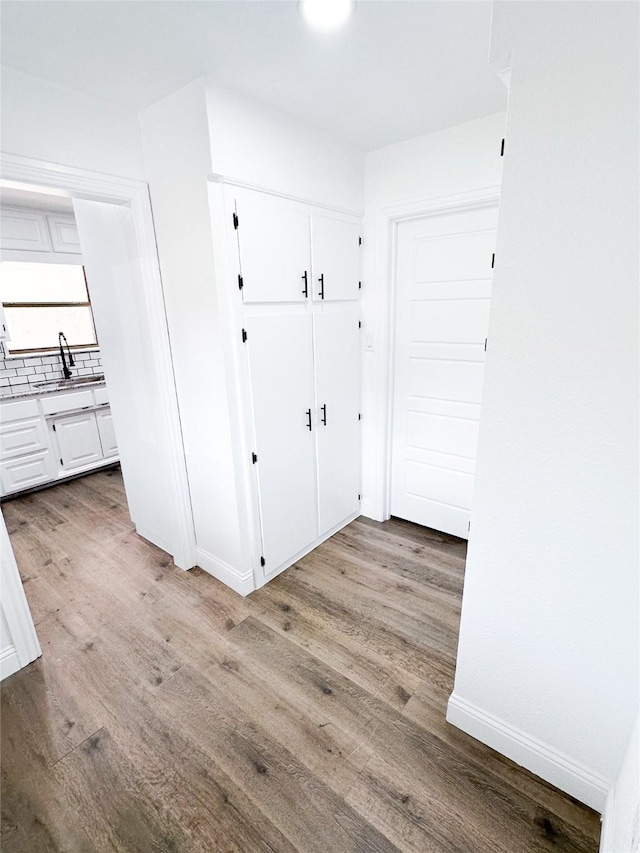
(551, 765)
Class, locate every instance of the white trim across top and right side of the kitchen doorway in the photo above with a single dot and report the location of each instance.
(94, 186)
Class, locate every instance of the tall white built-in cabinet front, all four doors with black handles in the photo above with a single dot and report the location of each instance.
(298, 287)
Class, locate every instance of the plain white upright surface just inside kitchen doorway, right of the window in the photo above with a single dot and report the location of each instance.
(128, 345)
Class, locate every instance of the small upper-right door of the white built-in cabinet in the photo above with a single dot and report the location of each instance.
(335, 258)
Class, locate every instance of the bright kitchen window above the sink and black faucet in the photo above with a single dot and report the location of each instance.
(41, 300)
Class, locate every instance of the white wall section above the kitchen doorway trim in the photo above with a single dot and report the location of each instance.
(59, 125)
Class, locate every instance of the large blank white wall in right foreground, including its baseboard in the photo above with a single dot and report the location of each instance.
(548, 653)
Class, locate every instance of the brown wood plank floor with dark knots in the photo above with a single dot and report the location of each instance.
(169, 714)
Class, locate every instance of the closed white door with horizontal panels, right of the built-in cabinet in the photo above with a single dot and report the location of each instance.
(444, 273)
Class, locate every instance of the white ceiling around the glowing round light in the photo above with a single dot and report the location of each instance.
(399, 69)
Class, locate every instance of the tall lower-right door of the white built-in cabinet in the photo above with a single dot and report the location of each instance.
(337, 362)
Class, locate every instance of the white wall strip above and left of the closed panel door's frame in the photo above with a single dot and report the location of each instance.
(447, 163)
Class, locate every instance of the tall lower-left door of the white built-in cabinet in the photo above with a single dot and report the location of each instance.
(281, 370)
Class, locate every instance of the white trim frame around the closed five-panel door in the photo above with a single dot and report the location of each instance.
(386, 236)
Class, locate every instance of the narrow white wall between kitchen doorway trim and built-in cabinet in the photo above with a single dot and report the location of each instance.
(177, 154)
